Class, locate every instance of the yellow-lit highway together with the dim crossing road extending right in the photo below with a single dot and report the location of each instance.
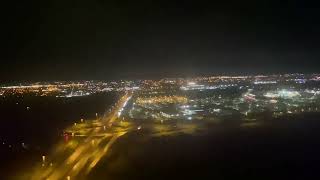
(88, 142)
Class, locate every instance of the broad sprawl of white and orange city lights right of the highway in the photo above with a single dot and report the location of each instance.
(225, 97)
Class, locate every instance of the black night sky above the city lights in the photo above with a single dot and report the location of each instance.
(88, 39)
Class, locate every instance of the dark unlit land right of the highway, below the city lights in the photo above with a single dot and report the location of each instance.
(286, 148)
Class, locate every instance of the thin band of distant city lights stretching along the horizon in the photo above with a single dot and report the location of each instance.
(160, 87)
